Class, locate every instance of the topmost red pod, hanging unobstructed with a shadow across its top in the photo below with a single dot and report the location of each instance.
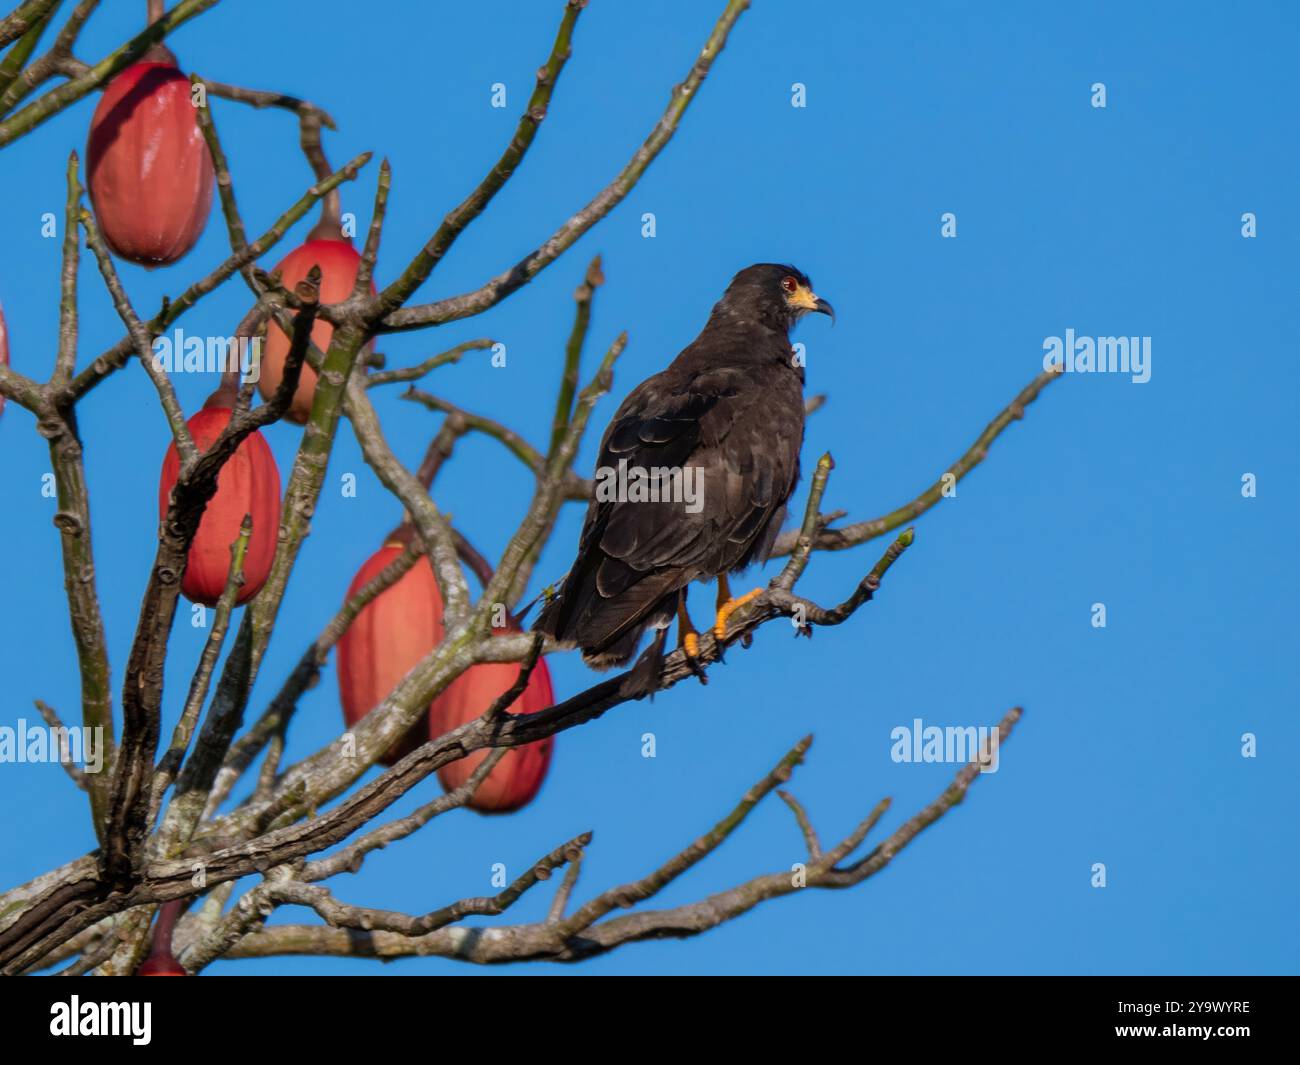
(149, 171)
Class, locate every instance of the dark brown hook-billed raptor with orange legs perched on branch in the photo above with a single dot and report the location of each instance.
(726, 418)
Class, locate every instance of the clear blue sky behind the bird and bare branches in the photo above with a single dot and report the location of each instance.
(1116, 222)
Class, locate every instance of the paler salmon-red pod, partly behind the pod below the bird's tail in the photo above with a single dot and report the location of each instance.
(395, 631)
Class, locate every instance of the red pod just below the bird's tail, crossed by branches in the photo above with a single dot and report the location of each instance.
(519, 776)
